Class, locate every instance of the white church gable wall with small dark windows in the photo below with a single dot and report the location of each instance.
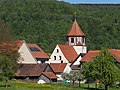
(57, 54)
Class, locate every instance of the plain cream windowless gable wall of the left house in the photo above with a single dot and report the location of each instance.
(26, 55)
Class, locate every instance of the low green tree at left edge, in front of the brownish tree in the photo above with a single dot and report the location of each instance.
(6, 68)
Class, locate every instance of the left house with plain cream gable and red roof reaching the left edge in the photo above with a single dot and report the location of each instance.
(20, 46)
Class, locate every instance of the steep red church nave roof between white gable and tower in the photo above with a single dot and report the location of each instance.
(69, 52)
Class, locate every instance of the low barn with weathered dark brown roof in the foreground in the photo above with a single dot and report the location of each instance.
(35, 73)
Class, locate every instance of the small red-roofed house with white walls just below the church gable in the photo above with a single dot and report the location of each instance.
(60, 68)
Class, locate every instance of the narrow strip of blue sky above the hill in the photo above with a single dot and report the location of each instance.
(93, 1)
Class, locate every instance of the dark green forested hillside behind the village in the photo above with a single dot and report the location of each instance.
(45, 22)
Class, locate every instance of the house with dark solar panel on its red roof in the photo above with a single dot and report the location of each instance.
(38, 53)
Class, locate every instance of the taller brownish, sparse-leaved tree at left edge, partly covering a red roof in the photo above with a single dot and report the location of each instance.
(8, 45)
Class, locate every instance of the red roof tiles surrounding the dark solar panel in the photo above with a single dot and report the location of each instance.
(38, 54)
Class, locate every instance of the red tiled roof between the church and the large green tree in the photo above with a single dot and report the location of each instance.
(90, 56)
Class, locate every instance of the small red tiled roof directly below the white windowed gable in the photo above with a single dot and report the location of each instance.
(58, 67)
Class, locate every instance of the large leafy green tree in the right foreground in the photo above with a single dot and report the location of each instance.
(104, 69)
